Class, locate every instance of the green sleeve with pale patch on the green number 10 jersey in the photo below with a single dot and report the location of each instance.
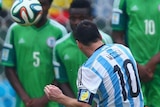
(119, 16)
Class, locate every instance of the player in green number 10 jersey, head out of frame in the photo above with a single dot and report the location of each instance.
(136, 23)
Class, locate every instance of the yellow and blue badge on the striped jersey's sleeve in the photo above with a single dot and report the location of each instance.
(84, 95)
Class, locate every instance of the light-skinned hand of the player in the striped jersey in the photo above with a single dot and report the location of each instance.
(53, 92)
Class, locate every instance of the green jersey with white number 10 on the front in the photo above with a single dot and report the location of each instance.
(142, 29)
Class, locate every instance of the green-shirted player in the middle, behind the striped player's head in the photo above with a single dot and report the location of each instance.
(67, 56)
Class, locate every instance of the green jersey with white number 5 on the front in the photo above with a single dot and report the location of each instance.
(29, 49)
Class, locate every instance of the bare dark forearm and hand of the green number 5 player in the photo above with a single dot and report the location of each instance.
(13, 79)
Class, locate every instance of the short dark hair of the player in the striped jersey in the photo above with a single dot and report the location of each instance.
(87, 32)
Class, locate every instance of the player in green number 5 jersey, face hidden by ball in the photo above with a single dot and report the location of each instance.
(27, 56)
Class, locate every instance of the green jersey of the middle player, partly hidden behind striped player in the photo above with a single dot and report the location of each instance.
(68, 58)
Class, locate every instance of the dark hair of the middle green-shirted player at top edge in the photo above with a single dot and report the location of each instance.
(81, 4)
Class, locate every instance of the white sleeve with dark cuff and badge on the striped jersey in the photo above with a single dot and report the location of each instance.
(88, 83)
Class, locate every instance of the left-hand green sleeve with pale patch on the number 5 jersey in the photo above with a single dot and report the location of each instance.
(8, 52)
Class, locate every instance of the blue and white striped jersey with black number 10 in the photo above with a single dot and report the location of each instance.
(111, 74)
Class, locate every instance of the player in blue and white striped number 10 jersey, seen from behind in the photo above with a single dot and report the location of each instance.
(110, 73)
